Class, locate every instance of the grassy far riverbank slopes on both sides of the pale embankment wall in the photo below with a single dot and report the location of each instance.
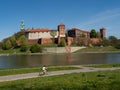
(84, 50)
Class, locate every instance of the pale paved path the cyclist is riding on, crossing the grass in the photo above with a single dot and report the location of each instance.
(33, 75)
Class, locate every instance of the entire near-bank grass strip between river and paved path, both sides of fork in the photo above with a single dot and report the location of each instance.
(12, 71)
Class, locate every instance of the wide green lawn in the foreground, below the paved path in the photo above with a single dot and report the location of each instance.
(101, 80)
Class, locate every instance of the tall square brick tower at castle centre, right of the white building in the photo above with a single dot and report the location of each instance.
(61, 31)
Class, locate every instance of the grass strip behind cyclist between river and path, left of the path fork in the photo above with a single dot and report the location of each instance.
(4, 72)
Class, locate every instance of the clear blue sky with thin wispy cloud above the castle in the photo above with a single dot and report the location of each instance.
(82, 14)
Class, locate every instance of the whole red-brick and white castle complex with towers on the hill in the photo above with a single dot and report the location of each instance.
(73, 35)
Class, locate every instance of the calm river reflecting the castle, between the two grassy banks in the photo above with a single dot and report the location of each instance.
(17, 61)
